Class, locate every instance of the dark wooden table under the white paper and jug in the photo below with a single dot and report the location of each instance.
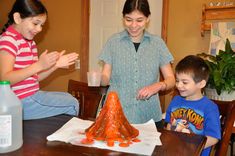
(36, 131)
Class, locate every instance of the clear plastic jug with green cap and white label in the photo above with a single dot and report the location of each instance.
(10, 119)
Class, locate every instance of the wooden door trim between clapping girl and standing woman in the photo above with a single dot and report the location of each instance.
(84, 53)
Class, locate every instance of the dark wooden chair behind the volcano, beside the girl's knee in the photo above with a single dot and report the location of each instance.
(89, 98)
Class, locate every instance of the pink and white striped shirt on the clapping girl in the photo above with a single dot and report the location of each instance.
(25, 53)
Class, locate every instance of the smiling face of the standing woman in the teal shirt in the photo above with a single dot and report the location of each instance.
(135, 23)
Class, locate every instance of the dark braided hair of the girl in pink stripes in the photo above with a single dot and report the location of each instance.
(26, 8)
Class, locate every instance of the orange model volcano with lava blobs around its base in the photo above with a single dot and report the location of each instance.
(111, 125)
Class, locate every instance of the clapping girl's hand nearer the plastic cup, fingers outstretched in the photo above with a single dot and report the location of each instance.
(66, 60)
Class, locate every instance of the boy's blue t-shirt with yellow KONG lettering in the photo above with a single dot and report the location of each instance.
(200, 117)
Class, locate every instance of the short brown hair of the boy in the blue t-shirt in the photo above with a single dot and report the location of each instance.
(195, 66)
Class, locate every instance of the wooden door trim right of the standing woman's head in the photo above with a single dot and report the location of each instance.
(165, 10)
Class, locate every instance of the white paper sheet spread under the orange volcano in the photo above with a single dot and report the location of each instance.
(72, 132)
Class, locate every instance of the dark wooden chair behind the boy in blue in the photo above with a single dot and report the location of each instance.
(227, 112)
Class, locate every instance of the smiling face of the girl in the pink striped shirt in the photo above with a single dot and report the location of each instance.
(30, 26)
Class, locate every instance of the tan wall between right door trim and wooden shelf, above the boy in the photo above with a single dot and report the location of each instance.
(183, 33)
